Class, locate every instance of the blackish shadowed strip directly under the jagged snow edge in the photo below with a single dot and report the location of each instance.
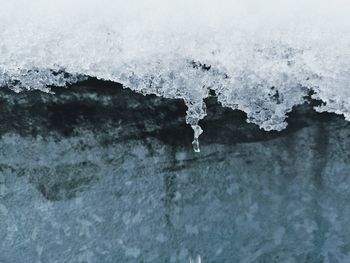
(102, 105)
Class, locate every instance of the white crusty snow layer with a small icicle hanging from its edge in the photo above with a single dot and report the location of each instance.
(259, 57)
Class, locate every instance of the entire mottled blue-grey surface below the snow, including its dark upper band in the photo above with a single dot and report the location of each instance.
(91, 176)
